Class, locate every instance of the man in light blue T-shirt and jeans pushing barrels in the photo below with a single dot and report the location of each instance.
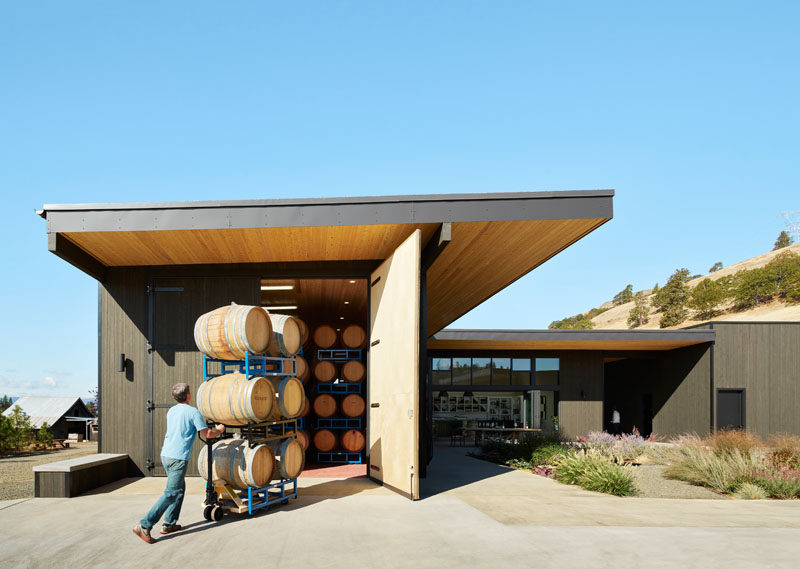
(183, 422)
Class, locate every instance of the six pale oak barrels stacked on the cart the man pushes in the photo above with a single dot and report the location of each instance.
(229, 333)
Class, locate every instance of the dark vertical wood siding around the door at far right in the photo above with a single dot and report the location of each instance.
(763, 359)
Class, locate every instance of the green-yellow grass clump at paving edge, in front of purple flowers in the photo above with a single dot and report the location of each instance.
(593, 471)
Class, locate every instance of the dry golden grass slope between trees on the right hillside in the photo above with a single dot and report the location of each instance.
(616, 317)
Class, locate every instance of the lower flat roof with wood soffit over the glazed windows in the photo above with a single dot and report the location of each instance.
(615, 340)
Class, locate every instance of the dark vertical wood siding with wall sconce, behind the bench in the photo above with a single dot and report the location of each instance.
(123, 308)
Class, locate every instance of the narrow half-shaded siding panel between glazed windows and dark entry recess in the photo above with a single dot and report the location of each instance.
(581, 393)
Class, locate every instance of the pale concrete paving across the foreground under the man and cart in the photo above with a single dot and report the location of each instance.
(474, 515)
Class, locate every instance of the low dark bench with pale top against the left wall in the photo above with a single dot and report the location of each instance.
(69, 478)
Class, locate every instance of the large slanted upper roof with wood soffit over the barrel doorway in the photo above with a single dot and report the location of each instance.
(494, 238)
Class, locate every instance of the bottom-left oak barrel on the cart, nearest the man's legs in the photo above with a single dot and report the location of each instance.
(237, 464)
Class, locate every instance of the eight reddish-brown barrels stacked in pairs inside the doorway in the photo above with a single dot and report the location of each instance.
(335, 405)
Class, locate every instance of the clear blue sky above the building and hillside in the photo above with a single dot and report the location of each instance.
(688, 110)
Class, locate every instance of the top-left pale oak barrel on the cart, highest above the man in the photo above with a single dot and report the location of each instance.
(229, 332)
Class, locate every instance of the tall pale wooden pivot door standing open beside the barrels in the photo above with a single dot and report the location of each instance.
(393, 427)
